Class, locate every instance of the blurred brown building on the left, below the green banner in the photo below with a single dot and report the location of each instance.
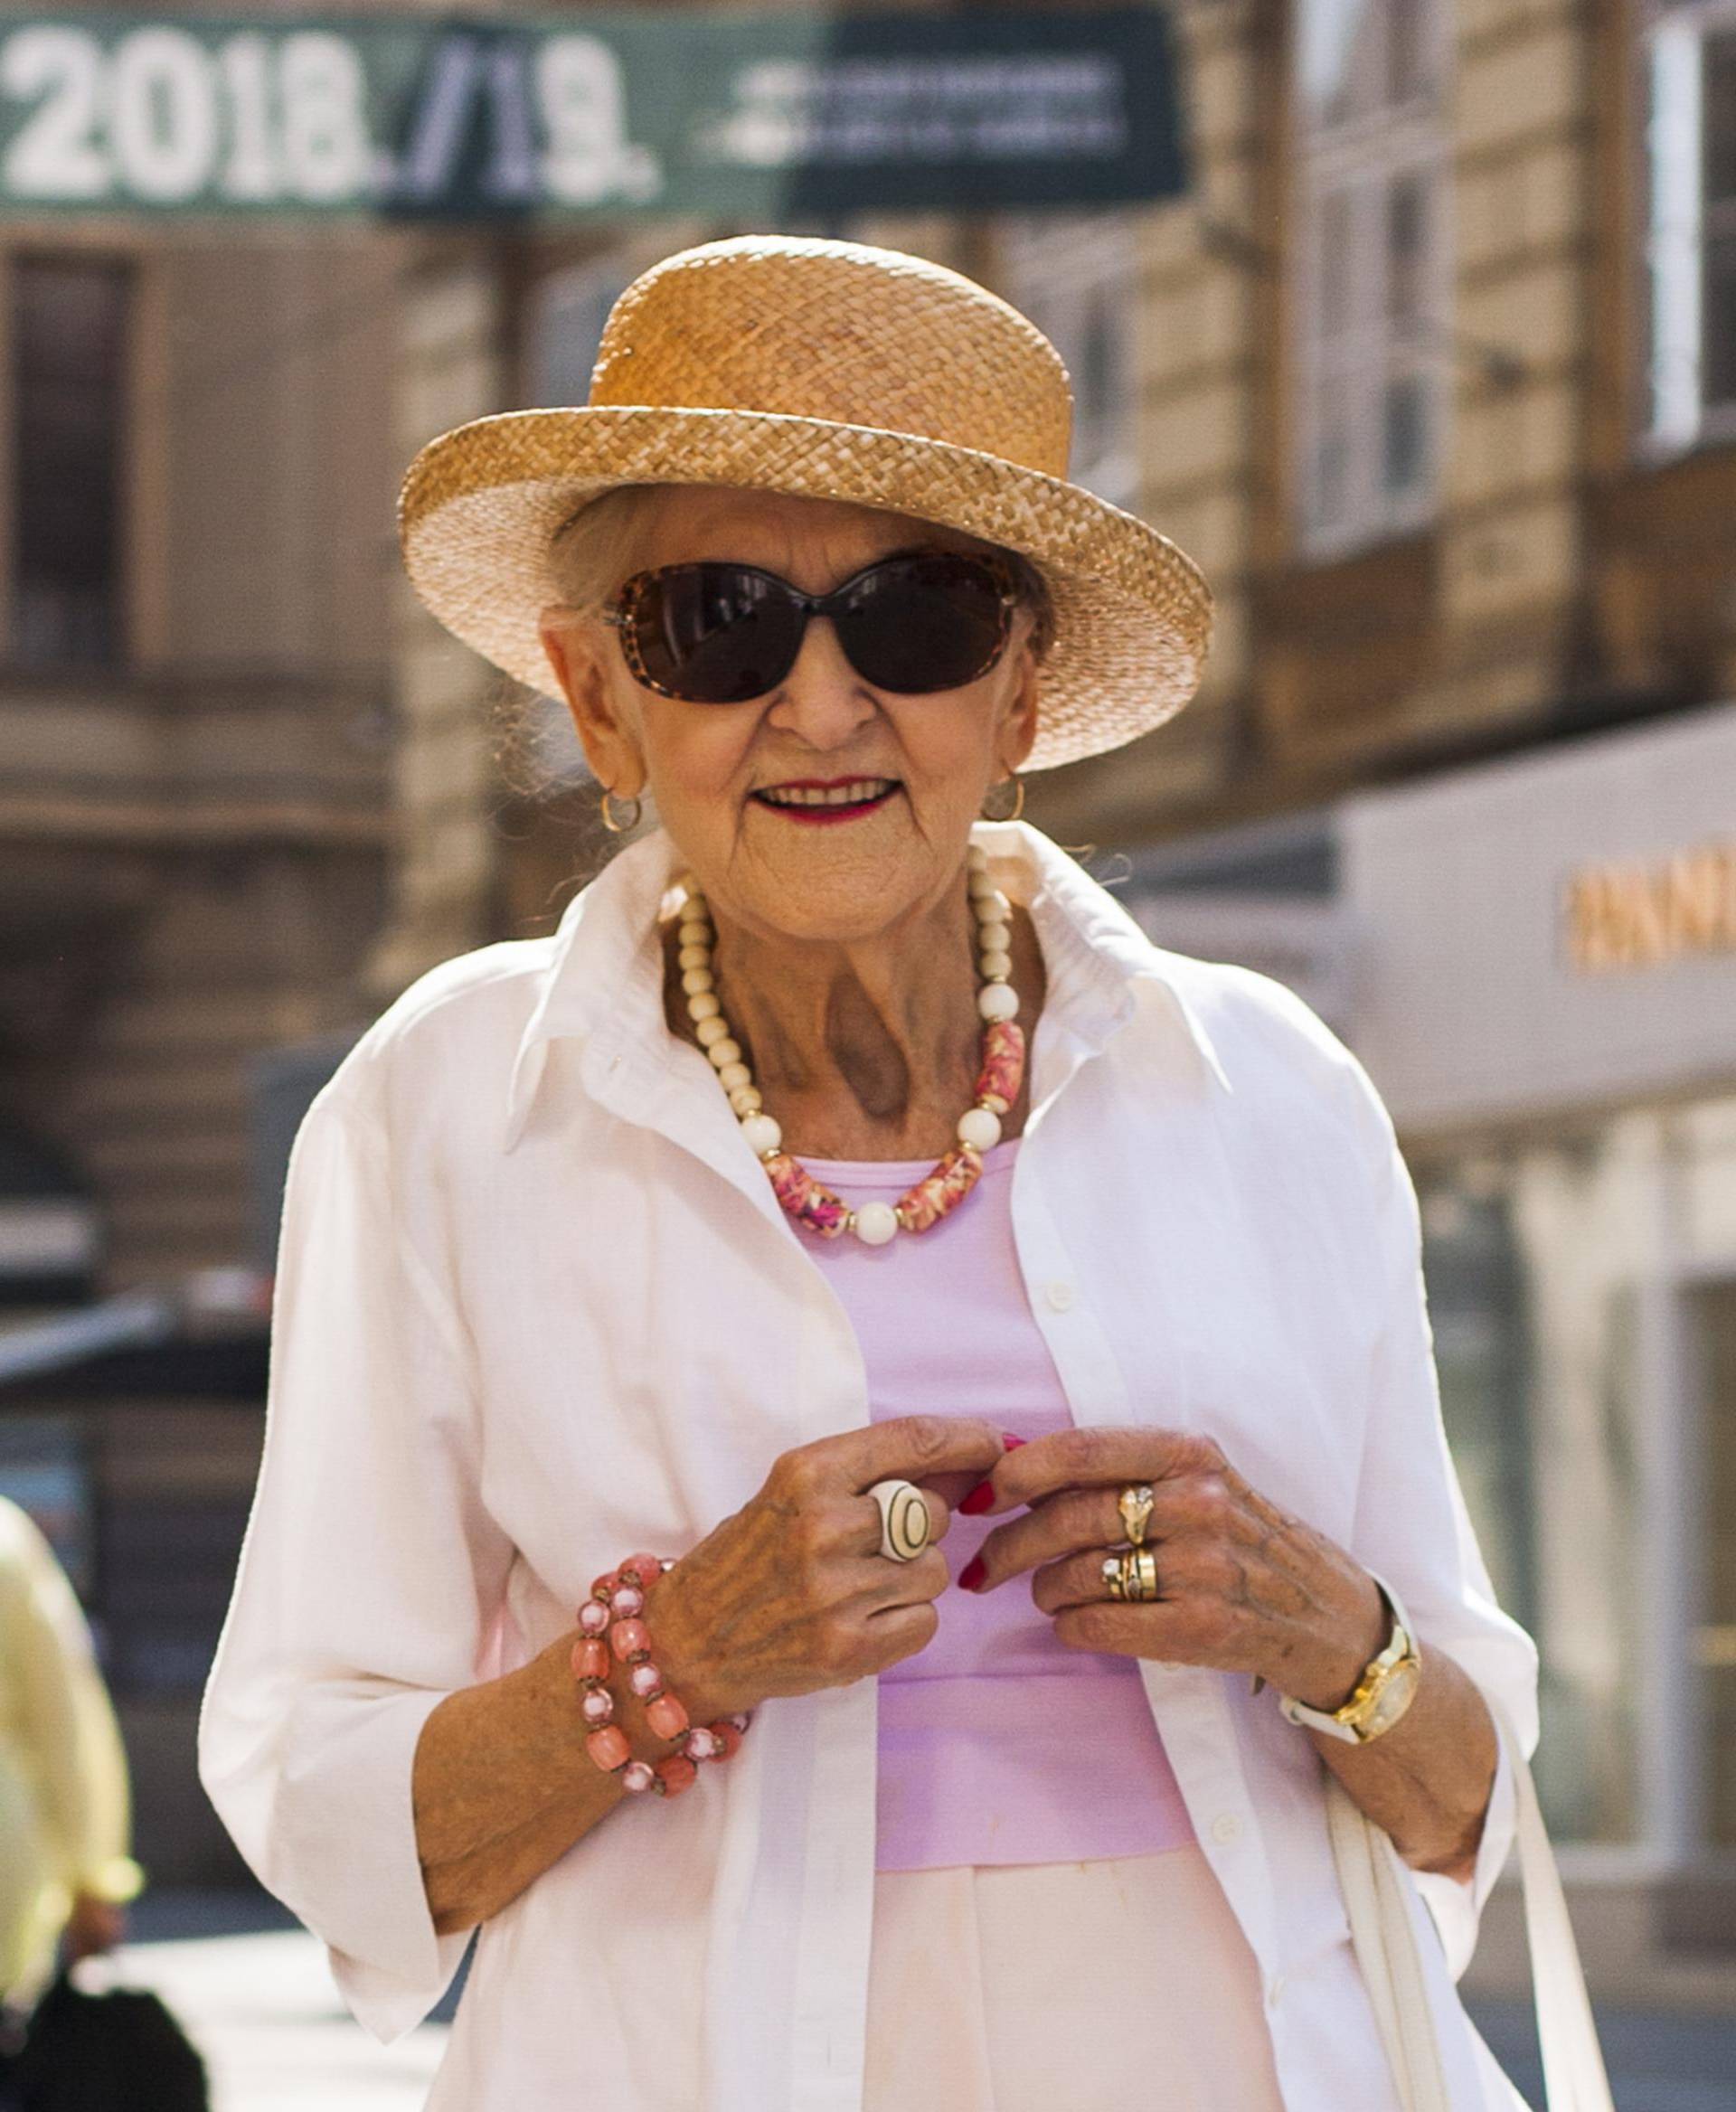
(195, 730)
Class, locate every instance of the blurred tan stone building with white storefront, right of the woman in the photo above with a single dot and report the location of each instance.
(1433, 377)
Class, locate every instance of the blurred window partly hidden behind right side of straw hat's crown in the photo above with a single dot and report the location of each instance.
(1076, 278)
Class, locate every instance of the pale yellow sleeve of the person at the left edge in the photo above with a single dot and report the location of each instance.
(69, 1737)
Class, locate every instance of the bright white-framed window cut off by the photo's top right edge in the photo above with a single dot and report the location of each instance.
(1691, 147)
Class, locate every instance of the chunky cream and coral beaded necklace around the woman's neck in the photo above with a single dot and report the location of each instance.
(998, 1082)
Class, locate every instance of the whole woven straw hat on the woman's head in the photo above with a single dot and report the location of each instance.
(829, 371)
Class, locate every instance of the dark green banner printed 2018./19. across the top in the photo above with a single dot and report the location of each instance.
(730, 115)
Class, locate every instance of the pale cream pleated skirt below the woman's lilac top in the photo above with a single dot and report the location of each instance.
(1049, 1986)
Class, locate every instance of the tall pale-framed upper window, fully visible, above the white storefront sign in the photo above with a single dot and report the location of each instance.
(1372, 280)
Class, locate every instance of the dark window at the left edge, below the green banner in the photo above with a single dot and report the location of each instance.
(69, 347)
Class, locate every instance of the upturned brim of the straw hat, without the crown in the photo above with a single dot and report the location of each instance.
(480, 506)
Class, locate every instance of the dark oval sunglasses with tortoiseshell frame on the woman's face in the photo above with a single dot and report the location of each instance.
(721, 633)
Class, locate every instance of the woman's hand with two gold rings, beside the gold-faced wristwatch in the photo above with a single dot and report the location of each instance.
(1243, 1587)
